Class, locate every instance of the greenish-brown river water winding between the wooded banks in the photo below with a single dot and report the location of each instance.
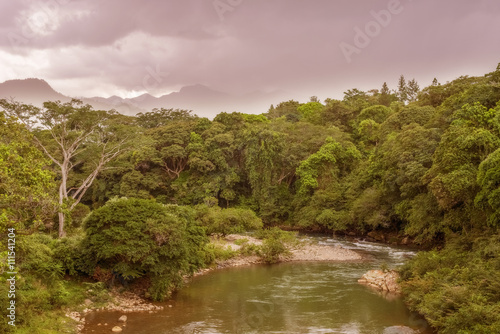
(316, 297)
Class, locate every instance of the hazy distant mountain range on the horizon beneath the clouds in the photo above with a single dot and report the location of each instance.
(203, 100)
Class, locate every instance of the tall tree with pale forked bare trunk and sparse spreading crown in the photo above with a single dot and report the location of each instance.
(67, 133)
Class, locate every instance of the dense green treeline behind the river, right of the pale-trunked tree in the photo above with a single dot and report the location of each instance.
(371, 161)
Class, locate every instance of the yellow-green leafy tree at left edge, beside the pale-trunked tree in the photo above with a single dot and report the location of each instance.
(27, 189)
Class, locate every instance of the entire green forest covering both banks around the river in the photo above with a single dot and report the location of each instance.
(94, 195)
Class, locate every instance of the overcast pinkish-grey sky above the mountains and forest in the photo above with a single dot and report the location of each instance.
(306, 47)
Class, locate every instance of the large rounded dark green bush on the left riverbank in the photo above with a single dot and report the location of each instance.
(135, 238)
